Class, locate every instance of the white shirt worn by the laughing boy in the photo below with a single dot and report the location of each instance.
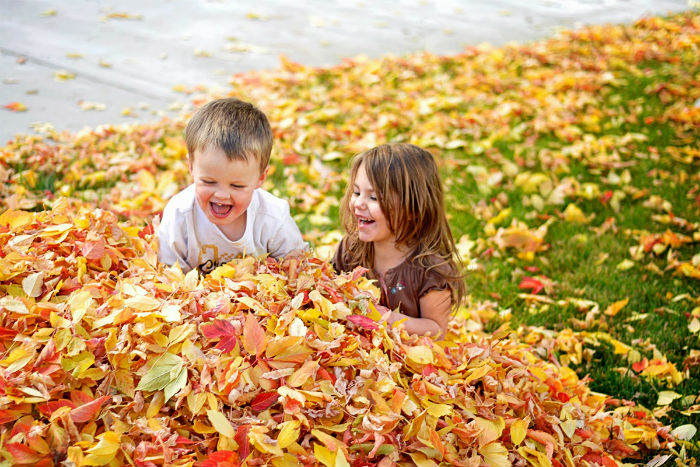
(188, 237)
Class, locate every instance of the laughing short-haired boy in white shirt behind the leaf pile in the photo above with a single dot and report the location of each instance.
(225, 213)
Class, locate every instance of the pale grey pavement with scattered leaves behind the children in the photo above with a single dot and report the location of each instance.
(87, 62)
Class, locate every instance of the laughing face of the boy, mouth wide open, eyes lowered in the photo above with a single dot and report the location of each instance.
(224, 188)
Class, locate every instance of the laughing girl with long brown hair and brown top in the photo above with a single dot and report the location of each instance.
(395, 224)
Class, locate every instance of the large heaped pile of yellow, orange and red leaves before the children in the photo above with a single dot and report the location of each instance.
(110, 359)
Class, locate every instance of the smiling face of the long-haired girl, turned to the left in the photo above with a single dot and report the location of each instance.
(372, 225)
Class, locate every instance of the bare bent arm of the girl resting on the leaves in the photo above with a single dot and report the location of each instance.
(436, 308)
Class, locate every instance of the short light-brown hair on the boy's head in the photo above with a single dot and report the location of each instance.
(239, 128)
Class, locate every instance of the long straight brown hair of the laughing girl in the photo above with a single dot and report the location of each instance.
(407, 184)
